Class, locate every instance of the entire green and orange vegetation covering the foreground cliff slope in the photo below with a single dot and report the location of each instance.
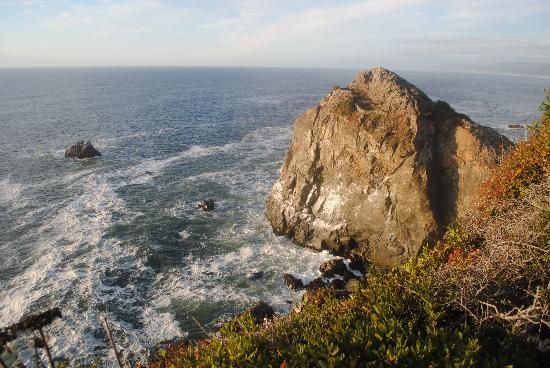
(480, 297)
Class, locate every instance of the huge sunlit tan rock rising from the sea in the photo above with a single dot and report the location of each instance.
(379, 169)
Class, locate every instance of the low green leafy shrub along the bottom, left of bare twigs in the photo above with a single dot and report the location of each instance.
(394, 319)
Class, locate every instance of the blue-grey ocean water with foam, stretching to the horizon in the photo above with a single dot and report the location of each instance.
(119, 235)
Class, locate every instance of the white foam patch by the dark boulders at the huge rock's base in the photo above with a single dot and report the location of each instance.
(216, 279)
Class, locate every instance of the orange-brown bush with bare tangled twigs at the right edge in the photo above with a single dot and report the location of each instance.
(498, 256)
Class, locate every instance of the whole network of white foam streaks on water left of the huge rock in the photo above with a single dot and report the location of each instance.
(72, 254)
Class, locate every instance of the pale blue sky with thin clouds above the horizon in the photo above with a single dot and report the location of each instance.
(405, 34)
